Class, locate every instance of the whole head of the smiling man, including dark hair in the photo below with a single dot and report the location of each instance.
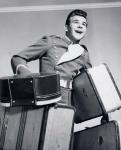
(76, 25)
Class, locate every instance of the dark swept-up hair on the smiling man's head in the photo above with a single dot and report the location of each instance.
(75, 12)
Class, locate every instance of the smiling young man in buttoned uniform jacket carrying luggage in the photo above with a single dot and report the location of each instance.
(63, 55)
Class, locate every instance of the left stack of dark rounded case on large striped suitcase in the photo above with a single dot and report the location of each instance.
(31, 119)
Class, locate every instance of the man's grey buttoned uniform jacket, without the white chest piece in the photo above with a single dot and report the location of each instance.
(49, 50)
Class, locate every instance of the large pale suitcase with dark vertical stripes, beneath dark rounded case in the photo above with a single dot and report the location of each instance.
(36, 128)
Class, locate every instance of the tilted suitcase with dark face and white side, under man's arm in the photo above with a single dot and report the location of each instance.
(94, 93)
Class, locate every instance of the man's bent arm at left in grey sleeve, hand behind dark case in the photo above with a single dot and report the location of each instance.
(32, 52)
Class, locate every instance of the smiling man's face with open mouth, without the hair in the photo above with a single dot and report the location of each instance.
(76, 30)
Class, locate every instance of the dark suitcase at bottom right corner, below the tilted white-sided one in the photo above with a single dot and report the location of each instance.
(101, 137)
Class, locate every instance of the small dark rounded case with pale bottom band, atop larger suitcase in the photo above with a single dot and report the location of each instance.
(33, 89)
